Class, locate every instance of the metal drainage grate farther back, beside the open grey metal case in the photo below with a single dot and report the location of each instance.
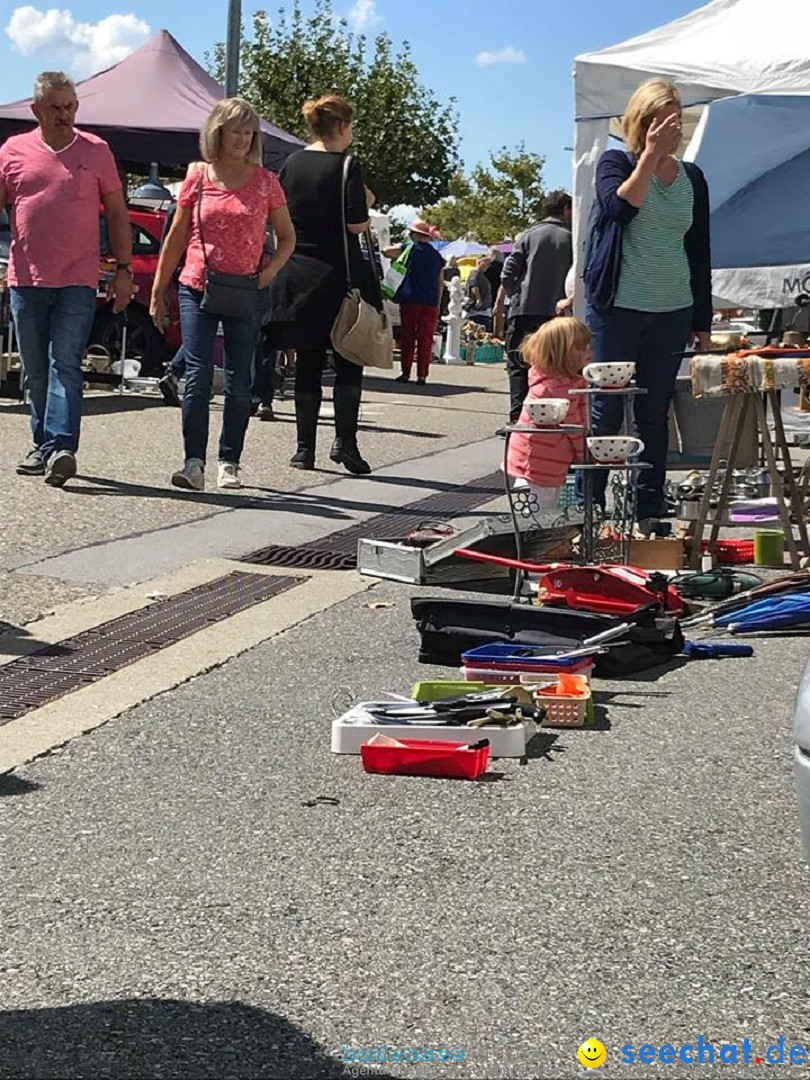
(340, 550)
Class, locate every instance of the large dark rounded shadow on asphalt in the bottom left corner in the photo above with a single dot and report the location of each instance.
(155, 1037)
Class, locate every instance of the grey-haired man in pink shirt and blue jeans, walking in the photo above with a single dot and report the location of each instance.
(55, 179)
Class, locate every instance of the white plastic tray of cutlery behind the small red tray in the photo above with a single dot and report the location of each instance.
(356, 727)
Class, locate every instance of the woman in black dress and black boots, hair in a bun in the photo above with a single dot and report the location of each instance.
(306, 298)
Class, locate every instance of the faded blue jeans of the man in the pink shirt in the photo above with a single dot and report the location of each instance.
(52, 328)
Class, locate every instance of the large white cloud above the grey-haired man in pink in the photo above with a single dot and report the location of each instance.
(91, 47)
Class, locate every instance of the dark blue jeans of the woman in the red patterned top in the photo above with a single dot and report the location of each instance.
(199, 335)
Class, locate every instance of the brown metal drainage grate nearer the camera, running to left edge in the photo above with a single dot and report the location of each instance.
(50, 673)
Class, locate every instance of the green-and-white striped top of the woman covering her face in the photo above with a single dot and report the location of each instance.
(655, 271)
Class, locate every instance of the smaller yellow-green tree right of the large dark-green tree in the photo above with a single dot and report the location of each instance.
(495, 202)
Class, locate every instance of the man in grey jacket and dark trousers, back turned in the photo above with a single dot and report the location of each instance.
(534, 280)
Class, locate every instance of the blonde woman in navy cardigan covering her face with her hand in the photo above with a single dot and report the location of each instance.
(649, 279)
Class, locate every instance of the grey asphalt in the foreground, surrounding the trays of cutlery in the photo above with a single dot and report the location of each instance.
(177, 903)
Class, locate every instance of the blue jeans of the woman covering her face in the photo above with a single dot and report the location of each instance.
(653, 342)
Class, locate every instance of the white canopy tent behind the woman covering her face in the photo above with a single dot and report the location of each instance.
(724, 49)
